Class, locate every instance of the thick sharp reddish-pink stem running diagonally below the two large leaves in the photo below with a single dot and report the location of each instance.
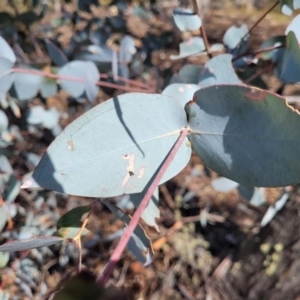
(115, 257)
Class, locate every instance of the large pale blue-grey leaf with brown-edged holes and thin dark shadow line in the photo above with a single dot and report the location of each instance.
(113, 148)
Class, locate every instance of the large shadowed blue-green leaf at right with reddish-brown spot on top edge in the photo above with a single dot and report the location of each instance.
(246, 134)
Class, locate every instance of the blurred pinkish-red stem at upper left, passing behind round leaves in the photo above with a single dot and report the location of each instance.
(77, 79)
